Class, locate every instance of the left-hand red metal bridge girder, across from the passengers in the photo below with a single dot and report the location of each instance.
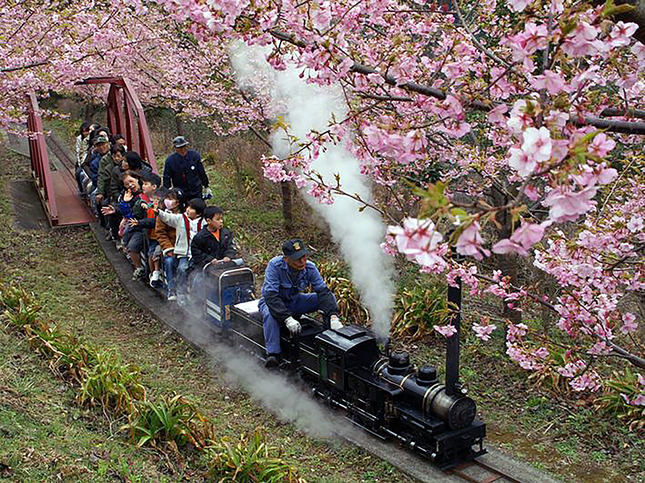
(40, 167)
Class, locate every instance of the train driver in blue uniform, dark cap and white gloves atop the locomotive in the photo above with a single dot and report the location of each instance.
(283, 300)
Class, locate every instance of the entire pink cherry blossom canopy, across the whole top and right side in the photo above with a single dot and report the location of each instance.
(500, 129)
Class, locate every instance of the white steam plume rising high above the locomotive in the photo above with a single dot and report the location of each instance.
(308, 107)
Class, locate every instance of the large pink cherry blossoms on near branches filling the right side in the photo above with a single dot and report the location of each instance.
(519, 106)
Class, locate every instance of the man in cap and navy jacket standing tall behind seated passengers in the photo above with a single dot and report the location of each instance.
(184, 170)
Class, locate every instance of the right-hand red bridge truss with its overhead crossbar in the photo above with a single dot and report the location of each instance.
(125, 115)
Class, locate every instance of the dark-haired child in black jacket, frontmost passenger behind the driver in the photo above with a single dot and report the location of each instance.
(213, 242)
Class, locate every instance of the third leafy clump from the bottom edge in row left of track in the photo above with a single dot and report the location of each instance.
(111, 385)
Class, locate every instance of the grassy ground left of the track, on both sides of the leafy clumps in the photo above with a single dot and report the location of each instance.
(44, 435)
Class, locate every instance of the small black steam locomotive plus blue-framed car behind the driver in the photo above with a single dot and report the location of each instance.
(384, 394)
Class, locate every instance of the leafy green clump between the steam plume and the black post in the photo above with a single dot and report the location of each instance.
(417, 309)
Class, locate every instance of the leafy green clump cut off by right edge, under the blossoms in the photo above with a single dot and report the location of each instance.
(623, 385)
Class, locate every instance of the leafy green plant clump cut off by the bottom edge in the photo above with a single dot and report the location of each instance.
(248, 459)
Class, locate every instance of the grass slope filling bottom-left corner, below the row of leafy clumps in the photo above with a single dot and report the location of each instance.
(43, 433)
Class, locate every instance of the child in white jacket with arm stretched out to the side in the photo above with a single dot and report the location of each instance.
(186, 225)
